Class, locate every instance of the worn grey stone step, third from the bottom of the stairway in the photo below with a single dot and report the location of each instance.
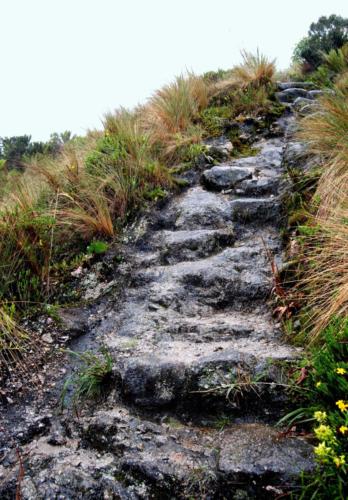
(129, 333)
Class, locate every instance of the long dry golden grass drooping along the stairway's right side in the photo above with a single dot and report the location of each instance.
(326, 251)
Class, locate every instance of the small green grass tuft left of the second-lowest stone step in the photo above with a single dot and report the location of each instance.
(90, 379)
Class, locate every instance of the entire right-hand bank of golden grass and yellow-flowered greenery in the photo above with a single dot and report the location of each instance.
(319, 290)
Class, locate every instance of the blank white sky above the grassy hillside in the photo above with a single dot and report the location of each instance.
(64, 63)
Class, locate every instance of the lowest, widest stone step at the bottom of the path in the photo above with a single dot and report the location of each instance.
(114, 454)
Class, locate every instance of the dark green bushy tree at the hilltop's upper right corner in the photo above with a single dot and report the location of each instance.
(326, 34)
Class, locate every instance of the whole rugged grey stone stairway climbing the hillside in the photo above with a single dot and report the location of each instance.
(199, 364)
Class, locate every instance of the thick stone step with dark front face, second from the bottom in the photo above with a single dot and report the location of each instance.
(177, 372)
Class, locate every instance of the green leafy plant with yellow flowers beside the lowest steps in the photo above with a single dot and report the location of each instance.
(324, 406)
